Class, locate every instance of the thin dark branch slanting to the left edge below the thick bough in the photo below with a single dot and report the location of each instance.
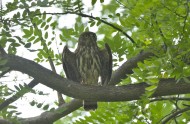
(17, 95)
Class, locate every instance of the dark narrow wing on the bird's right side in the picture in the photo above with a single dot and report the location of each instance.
(106, 62)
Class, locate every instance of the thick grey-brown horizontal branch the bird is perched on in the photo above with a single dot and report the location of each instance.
(97, 93)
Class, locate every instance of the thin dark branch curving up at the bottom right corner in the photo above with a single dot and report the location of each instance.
(175, 114)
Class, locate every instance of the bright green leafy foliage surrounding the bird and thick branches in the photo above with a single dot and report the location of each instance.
(159, 26)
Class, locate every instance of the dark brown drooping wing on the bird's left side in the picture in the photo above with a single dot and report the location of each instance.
(69, 65)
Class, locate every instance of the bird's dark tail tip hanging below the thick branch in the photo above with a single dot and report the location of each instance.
(90, 105)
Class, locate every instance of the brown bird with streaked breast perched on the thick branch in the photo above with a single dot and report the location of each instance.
(87, 64)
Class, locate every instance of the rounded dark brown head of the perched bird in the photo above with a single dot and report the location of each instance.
(87, 39)
